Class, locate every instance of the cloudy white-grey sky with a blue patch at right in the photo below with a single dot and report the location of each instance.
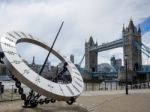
(102, 19)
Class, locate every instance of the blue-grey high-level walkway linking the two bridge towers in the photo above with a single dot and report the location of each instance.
(108, 46)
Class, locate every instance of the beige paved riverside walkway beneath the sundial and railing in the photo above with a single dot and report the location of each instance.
(92, 101)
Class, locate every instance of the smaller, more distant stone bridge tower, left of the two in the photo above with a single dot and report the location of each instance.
(90, 57)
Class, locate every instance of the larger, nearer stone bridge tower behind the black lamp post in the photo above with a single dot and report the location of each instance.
(130, 34)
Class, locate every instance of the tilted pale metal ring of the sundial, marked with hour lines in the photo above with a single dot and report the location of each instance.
(50, 89)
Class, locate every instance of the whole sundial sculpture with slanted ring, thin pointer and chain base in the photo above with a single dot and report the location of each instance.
(39, 86)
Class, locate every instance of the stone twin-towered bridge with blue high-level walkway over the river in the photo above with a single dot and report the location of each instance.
(132, 48)
